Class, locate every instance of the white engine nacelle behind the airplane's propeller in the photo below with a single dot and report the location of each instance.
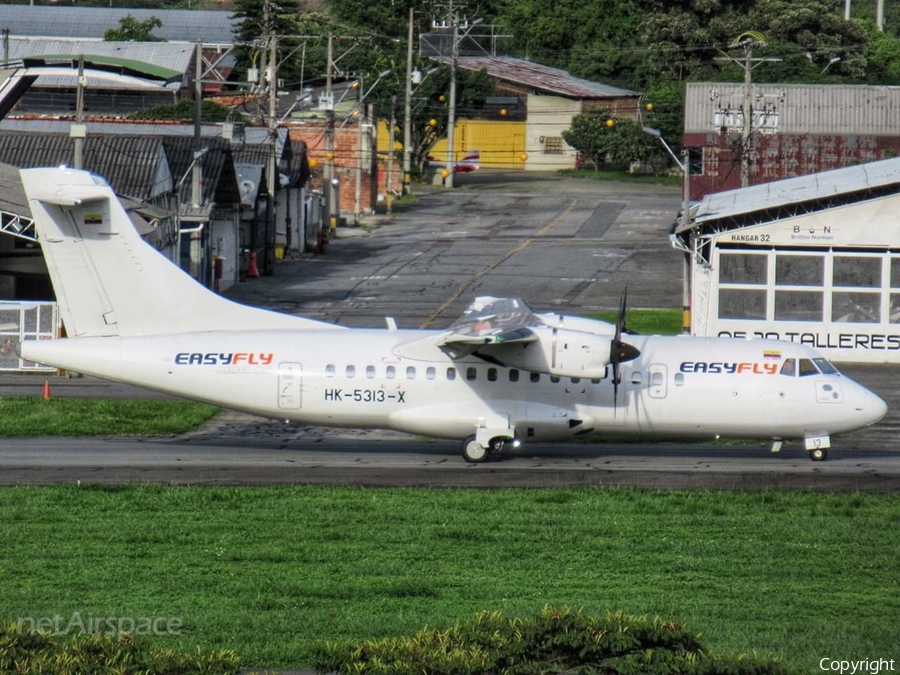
(563, 352)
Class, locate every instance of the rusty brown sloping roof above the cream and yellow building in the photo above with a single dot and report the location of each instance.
(540, 77)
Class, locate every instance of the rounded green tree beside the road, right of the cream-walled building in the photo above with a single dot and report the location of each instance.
(602, 139)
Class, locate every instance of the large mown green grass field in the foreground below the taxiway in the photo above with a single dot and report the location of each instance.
(271, 571)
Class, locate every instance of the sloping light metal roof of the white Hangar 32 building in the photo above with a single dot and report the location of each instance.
(732, 203)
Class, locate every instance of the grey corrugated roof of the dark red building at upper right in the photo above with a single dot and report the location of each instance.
(860, 110)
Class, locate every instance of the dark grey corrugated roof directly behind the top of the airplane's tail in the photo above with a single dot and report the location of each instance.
(129, 163)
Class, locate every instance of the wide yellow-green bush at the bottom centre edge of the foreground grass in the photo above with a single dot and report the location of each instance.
(556, 641)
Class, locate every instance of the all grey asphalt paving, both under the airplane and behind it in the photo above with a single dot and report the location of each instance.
(567, 245)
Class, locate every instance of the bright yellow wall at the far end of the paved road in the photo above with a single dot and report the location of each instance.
(500, 144)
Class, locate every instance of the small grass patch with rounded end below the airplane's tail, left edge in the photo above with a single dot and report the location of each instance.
(31, 416)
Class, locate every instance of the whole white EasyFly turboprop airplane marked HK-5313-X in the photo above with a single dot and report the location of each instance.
(499, 376)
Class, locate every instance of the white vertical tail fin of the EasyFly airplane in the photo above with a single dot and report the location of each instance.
(108, 281)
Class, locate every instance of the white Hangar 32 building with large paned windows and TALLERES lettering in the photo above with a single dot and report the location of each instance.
(813, 259)
